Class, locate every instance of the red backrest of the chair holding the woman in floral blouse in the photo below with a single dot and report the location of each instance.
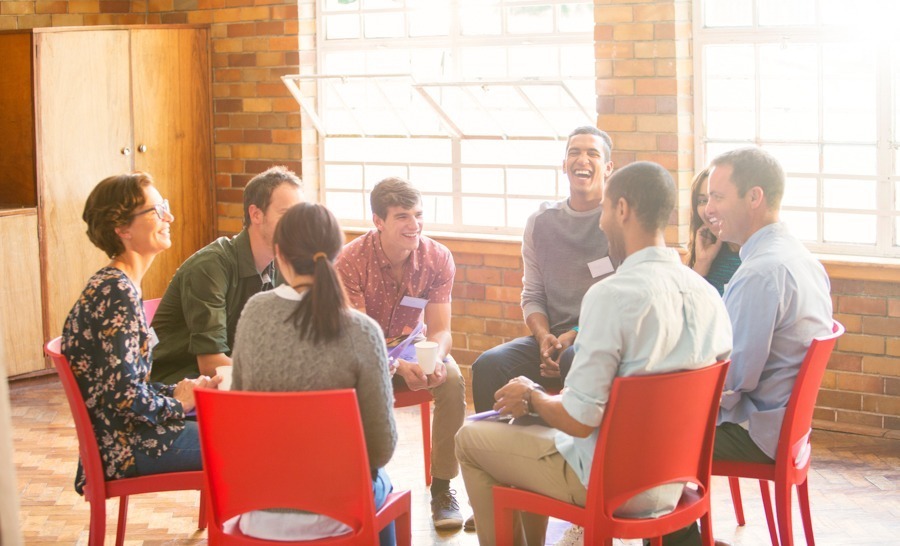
(88, 449)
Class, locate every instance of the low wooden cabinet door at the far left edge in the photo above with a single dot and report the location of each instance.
(21, 330)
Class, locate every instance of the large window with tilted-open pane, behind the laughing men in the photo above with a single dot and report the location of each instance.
(471, 100)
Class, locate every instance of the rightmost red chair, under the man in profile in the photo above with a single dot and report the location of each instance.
(792, 456)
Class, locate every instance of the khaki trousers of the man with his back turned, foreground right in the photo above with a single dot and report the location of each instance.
(496, 453)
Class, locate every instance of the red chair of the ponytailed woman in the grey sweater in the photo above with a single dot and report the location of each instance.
(300, 450)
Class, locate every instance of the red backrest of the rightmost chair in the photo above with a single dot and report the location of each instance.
(793, 443)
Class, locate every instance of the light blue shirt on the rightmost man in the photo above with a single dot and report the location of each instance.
(778, 301)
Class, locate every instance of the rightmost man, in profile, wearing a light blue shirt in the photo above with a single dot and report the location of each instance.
(778, 301)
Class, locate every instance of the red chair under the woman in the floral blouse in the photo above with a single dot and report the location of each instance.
(96, 490)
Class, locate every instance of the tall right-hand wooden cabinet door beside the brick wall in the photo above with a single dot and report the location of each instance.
(171, 86)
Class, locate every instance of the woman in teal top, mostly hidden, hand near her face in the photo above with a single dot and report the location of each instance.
(707, 255)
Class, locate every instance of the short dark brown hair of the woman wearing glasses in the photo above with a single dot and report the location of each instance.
(110, 205)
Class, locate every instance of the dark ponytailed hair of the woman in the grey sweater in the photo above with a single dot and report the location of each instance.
(309, 238)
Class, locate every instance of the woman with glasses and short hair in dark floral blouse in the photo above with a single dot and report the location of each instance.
(140, 426)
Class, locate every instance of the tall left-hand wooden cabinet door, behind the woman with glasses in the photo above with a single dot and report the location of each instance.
(83, 126)
